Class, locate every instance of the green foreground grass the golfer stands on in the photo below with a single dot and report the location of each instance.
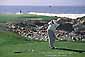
(10, 43)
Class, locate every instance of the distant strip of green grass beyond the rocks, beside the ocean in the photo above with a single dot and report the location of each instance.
(12, 17)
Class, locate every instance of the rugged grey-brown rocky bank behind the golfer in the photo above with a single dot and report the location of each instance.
(70, 29)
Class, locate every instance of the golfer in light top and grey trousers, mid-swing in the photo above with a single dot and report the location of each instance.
(53, 24)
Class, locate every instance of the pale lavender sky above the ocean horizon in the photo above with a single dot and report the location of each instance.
(44, 2)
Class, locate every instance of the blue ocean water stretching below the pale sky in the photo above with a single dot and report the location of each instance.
(43, 9)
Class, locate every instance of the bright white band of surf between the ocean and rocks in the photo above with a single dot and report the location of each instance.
(73, 16)
